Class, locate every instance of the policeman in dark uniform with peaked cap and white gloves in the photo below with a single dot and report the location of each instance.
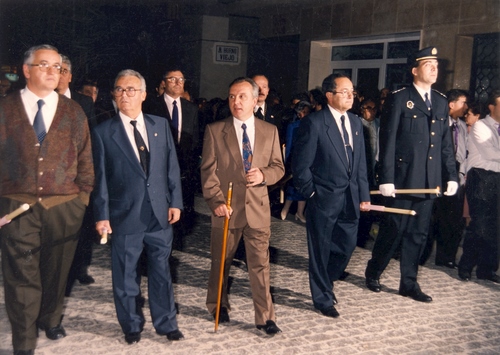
(415, 150)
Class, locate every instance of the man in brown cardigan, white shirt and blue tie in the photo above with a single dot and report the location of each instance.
(46, 161)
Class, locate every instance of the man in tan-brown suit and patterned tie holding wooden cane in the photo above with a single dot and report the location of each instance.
(245, 151)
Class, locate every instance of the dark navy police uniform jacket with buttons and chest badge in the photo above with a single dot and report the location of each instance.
(416, 148)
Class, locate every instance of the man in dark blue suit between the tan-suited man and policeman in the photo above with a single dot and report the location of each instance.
(329, 167)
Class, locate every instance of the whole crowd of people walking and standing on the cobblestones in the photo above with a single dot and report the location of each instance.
(128, 164)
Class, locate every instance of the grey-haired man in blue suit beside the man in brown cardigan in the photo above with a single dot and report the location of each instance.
(138, 197)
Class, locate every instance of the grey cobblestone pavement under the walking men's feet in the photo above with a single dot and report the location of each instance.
(464, 317)
